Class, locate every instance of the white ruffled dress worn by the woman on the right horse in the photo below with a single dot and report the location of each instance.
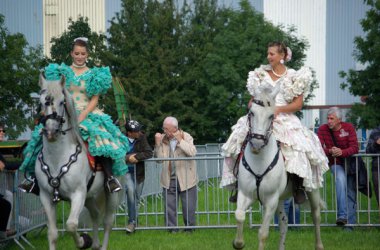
(300, 147)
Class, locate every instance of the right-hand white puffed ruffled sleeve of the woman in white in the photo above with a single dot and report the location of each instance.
(297, 83)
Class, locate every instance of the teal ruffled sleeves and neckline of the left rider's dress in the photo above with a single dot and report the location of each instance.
(98, 80)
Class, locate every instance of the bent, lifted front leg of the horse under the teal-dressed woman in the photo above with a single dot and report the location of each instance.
(77, 203)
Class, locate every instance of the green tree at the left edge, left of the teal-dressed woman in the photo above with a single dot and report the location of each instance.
(19, 67)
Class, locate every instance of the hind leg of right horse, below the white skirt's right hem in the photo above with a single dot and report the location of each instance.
(316, 204)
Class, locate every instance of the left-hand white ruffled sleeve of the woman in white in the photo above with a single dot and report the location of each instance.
(256, 81)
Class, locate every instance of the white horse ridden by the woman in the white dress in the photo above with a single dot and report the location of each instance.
(262, 176)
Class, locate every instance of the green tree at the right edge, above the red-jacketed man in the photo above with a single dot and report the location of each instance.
(366, 82)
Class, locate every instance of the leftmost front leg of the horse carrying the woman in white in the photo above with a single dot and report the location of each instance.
(243, 202)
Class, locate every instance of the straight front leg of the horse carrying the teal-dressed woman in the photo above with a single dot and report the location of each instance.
(50, 210)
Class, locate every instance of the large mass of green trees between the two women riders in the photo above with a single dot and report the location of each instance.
(192, 63)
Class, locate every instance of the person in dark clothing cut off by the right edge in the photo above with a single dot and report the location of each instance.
(373, 147)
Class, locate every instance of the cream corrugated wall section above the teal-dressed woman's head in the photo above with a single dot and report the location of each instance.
(56, 14)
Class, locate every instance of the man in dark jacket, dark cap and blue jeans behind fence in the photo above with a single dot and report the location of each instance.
(139, 150)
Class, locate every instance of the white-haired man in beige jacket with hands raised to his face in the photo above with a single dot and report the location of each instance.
(178, 178)
